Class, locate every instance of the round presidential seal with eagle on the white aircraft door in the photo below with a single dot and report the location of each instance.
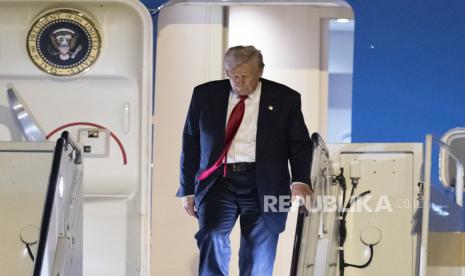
(63, 42)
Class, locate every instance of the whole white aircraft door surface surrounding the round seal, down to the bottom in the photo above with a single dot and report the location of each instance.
(121, 77)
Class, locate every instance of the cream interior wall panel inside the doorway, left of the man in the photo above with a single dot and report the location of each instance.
(189, 52)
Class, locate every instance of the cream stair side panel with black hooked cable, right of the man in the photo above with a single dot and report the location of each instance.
(391, 172)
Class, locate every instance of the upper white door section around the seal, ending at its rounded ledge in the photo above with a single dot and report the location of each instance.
(120, 75)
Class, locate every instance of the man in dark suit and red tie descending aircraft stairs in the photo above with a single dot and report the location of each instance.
(239, 139)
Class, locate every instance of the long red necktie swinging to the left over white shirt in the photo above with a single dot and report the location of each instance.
(234, 122)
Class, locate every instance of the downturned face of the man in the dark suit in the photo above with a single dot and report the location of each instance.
(244, 78)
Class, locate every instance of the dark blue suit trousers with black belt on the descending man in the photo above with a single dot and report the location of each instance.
(227, 199)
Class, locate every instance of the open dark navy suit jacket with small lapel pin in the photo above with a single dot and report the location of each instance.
(282, 139)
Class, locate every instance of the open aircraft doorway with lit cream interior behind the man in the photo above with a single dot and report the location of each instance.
(192, 37)
